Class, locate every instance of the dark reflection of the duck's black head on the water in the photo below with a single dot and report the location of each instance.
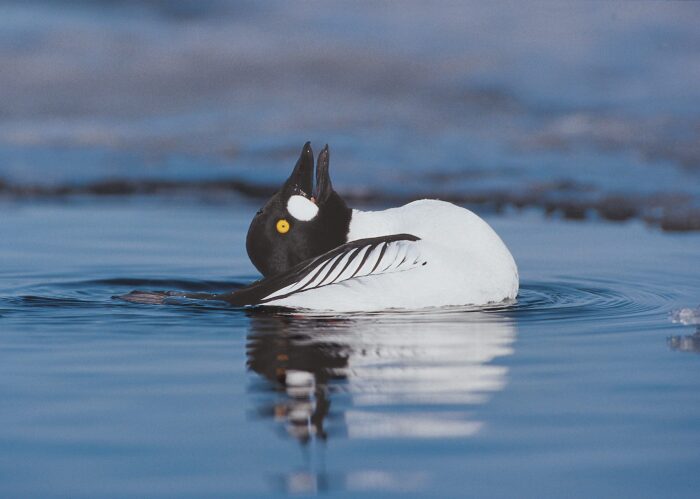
(297, 367)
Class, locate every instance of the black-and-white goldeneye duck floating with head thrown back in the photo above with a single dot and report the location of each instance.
(316, 253)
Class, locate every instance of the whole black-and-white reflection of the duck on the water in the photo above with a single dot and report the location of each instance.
(392, 375)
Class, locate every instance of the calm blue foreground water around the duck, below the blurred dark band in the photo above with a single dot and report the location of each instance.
(578, 390)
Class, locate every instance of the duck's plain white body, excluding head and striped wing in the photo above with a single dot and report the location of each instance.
(467, 263)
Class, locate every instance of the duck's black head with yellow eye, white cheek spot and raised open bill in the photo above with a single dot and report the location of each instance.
(298, 222)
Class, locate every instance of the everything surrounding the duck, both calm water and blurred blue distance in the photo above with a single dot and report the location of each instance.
(137, 140)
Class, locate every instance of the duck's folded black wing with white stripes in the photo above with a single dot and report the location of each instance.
(361, 258)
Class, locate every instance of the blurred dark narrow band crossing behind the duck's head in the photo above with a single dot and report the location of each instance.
(668, 211)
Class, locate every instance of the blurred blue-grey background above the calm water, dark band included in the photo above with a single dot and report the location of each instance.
(583, 110)
